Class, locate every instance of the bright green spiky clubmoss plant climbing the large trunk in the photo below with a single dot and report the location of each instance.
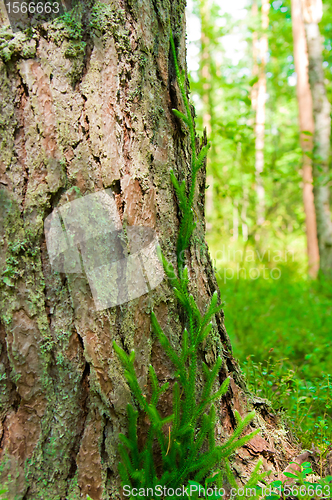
(182, 444)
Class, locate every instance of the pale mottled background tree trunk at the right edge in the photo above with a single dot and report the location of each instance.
(312, 13)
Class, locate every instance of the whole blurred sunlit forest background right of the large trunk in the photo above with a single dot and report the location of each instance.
(248, 92)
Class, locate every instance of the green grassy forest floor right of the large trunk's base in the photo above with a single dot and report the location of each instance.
(280, 325)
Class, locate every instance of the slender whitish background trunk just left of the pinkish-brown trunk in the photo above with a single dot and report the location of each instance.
(260, 51)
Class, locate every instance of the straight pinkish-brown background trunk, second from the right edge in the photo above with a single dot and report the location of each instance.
(306, 130)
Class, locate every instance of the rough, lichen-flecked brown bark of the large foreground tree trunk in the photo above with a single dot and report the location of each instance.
(81, 111)
